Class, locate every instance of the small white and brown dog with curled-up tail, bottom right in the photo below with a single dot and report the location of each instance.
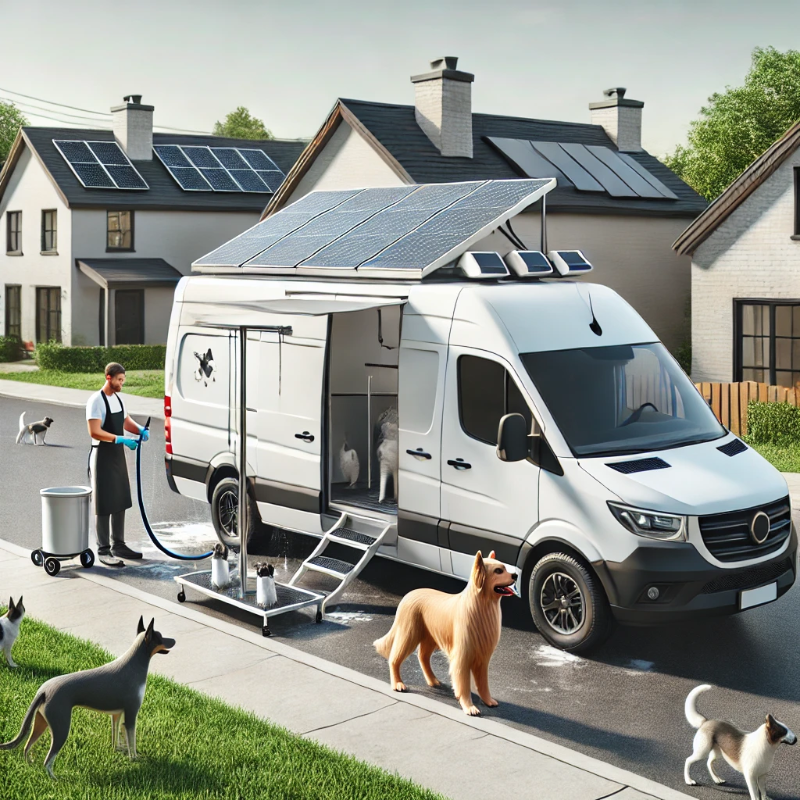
(751, 754)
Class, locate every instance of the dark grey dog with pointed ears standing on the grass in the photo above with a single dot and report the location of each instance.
(116, 688)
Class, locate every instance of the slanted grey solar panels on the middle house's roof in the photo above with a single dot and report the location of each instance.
(589, 168)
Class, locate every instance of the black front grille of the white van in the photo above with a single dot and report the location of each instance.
(727, 536)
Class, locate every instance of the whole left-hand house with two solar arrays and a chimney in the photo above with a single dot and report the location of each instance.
(100, 225)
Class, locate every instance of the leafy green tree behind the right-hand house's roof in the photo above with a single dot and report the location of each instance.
(739, 124)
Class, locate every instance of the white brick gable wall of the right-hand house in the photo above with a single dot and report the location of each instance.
(750, 255)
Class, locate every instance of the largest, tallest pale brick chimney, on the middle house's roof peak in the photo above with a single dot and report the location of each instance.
(443, 107)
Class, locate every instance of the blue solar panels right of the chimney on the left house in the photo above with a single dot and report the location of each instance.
(220, 169)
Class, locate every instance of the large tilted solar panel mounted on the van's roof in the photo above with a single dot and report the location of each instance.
(409, 229)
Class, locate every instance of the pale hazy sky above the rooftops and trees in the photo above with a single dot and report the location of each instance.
(287, 62)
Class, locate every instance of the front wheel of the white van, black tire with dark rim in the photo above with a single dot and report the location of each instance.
(577, 617)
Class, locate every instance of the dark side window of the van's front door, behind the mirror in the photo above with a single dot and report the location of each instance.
(487, 392)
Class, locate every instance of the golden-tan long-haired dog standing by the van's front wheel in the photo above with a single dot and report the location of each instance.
(466, 626)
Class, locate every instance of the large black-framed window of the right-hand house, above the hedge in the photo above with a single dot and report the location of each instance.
(767, 342)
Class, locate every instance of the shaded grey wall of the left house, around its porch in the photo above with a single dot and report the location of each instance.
(179, 237)
